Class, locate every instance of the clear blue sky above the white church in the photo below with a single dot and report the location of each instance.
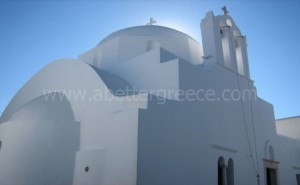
(34, 33)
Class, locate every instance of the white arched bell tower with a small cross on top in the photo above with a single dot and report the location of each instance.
(223, 42)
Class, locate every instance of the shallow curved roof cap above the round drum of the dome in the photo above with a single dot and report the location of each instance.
(147, 30)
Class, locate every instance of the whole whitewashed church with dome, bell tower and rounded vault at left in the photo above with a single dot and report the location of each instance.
(149, 105)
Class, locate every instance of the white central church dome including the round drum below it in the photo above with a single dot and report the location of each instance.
(128, 43)
